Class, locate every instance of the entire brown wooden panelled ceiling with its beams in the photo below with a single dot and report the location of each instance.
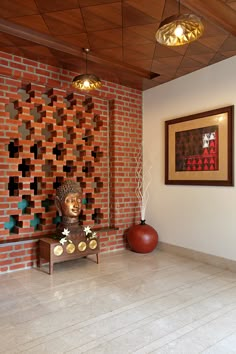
(120, 35)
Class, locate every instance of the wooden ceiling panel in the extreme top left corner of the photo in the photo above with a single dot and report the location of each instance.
(17, 8)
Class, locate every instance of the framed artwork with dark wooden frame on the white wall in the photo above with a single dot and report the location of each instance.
(199, 148)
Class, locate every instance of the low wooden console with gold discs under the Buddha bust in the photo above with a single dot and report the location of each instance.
(50, 250)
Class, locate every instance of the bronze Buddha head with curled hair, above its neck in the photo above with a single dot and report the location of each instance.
(68, 200)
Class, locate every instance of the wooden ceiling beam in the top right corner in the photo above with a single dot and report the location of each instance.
(216, 11)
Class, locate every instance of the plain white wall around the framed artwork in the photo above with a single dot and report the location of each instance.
(201, 218)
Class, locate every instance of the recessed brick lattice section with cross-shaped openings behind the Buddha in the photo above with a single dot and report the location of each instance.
(52, 136)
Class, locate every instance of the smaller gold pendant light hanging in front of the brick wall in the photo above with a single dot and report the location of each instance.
(86, 81)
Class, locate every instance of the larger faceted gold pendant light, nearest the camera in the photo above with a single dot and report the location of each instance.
(179, 29)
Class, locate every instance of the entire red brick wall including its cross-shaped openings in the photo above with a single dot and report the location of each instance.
(49, 133)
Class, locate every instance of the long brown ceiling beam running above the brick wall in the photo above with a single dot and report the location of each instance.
(50, 42)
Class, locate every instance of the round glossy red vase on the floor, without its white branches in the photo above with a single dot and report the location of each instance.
(142, 238)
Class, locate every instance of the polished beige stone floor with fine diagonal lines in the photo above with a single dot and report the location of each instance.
(129, 303)
